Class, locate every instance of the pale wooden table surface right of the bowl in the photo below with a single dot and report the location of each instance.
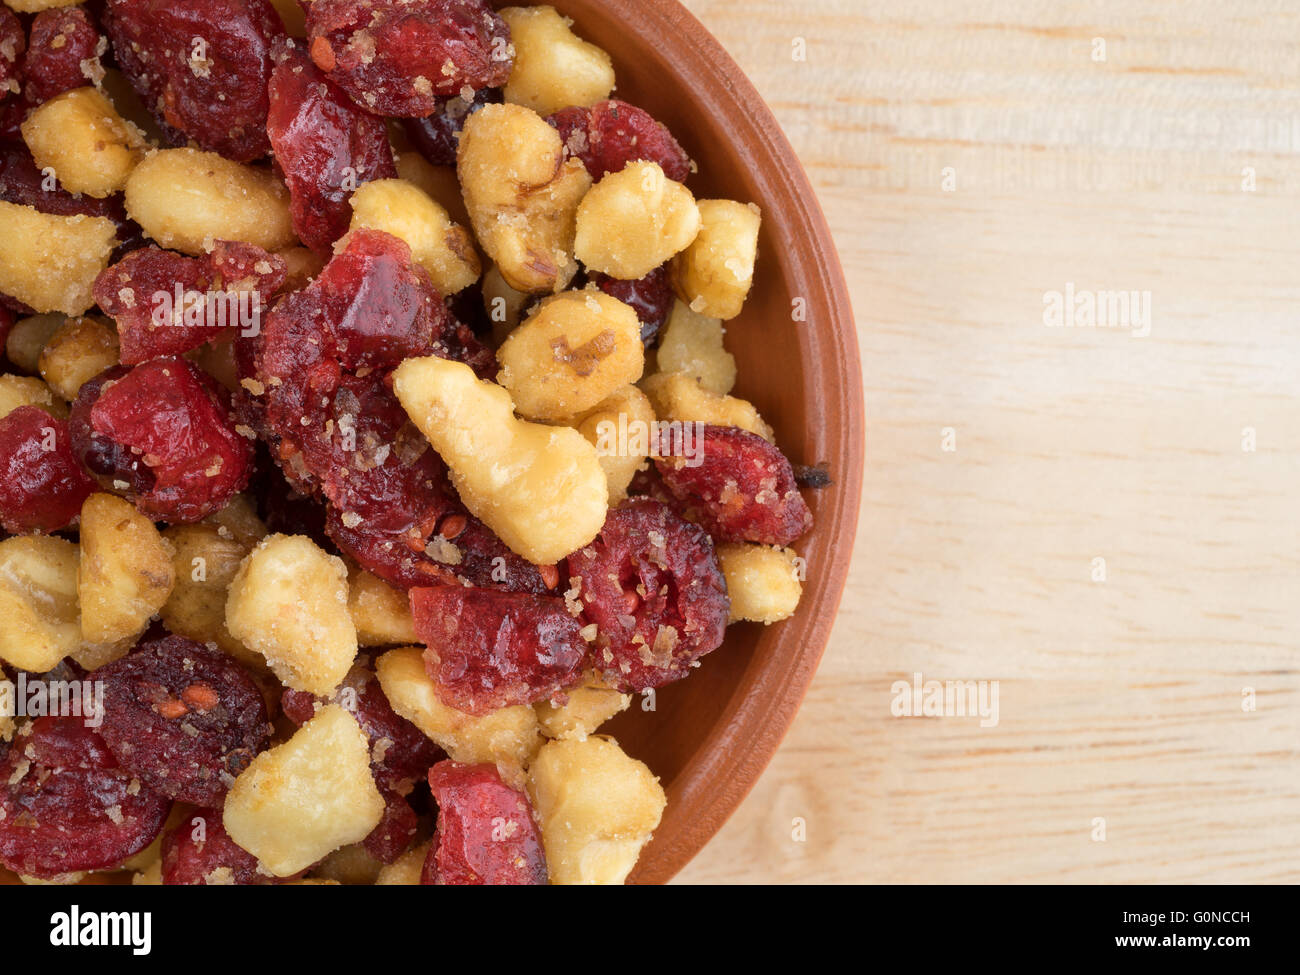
(974, 158)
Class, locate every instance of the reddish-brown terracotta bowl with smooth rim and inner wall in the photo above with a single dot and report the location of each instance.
(712, 735)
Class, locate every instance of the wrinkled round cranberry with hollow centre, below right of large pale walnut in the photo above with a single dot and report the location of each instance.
(652, 584)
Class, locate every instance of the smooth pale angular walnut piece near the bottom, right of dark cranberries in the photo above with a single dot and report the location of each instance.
(307, 798)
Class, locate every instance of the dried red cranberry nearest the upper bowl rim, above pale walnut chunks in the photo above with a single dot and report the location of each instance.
(610, 135)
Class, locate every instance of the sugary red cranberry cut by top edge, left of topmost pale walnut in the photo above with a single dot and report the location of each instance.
(397, 58)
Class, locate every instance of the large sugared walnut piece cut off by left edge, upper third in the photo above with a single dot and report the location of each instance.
(50, 262)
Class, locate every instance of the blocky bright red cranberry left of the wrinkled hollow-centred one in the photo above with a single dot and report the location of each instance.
(488, 649)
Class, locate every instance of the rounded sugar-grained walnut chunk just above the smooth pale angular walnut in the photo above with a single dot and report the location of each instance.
(289, 603)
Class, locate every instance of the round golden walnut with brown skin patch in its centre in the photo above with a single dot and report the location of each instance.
(570, 354)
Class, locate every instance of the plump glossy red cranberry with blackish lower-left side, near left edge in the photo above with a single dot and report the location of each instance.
(162, 435)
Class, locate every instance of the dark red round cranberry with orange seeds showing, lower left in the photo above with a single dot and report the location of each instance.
(183, 717)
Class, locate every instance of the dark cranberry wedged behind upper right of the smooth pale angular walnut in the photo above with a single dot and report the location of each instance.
(400, 752)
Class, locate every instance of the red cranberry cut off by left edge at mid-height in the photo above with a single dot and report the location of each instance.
(42, 487)
